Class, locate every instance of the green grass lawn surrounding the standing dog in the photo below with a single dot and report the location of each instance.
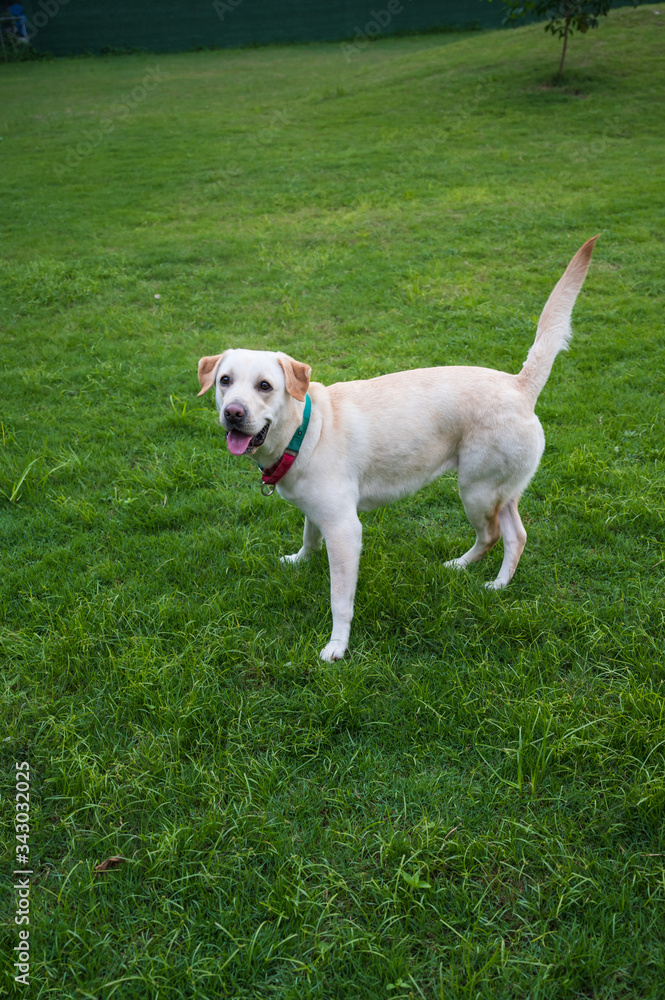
(471, 805)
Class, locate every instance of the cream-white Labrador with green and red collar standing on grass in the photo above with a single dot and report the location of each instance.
(353, 446)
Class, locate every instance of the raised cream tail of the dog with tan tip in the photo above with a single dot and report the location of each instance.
(554, 332)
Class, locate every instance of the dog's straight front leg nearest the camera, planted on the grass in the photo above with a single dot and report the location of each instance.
(343, 543)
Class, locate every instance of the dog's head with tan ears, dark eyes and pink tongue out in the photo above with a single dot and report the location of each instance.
(254, 392)
